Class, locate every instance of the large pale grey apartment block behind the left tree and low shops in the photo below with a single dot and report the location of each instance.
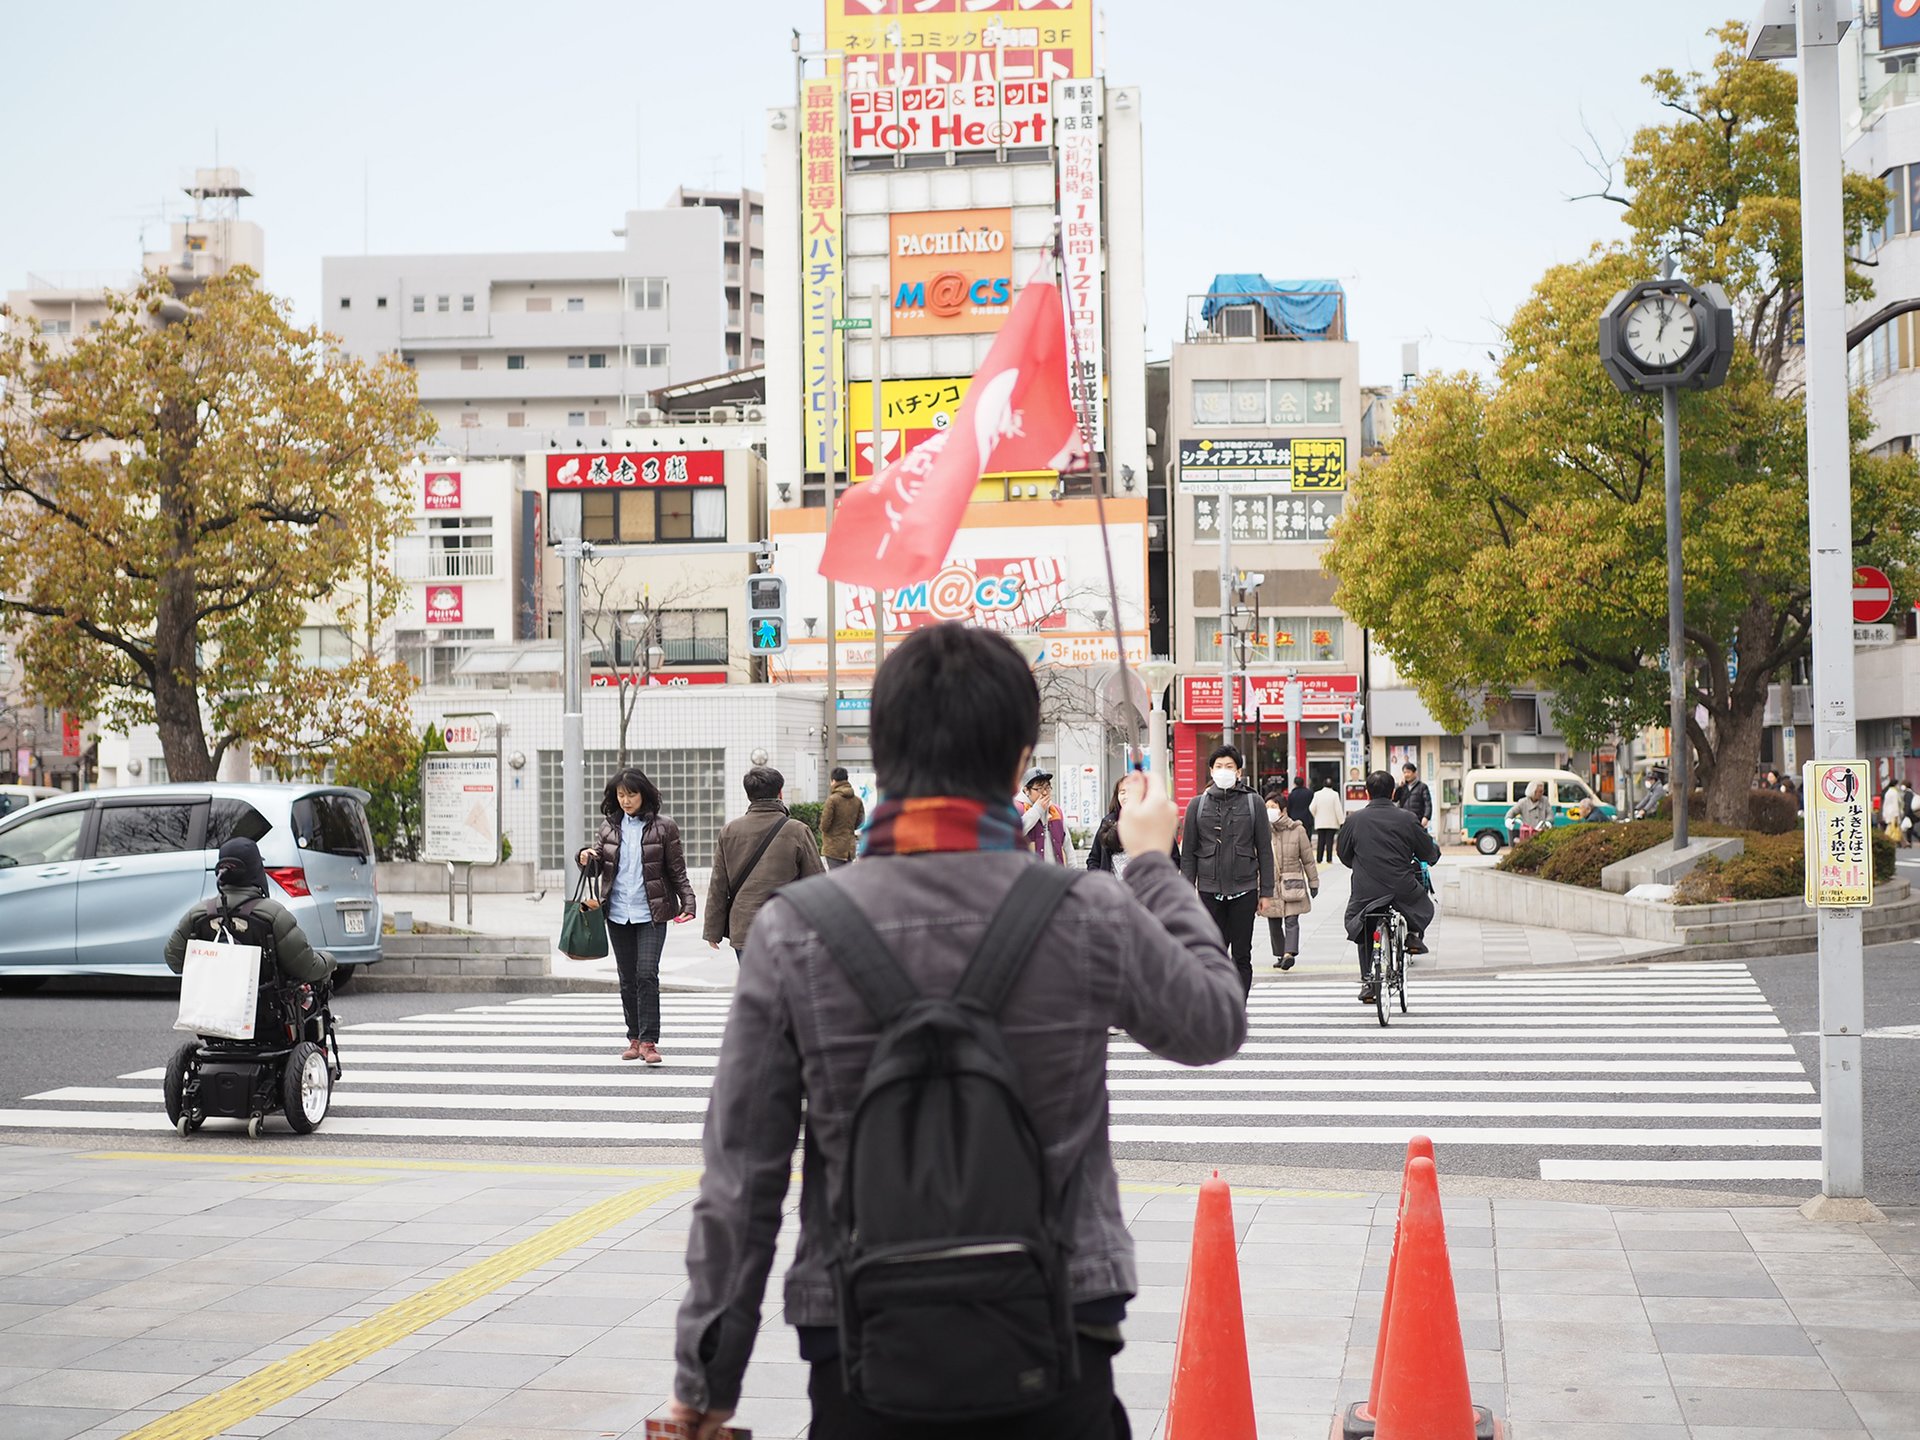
(558, 350)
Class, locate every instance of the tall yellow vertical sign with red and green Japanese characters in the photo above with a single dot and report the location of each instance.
(821, 258)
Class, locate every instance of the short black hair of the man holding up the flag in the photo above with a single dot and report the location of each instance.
(953, 711)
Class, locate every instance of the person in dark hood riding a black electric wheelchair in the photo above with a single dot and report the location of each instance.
(293, 1061)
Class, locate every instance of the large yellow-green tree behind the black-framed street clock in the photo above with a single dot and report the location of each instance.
(1516, 533)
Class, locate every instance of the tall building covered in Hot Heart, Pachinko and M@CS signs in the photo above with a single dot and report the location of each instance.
(911, 197)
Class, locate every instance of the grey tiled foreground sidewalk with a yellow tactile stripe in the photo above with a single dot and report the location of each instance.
(306, 1299)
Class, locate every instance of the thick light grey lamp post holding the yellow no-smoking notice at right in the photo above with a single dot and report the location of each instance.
(1813, 30)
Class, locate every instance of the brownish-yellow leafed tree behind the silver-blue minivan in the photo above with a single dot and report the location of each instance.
(178, 489)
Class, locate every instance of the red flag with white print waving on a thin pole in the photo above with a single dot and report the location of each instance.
(1017, 418)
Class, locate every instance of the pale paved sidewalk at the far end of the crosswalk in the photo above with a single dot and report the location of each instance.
(1456, 942)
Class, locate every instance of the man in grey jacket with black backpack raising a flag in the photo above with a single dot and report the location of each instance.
(938, 1019)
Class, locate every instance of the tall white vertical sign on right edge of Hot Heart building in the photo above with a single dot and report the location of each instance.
(1084, 258)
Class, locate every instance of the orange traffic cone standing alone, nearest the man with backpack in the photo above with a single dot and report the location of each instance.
(1212, 1393)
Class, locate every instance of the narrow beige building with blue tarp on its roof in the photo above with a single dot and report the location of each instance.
(1262, 433)
